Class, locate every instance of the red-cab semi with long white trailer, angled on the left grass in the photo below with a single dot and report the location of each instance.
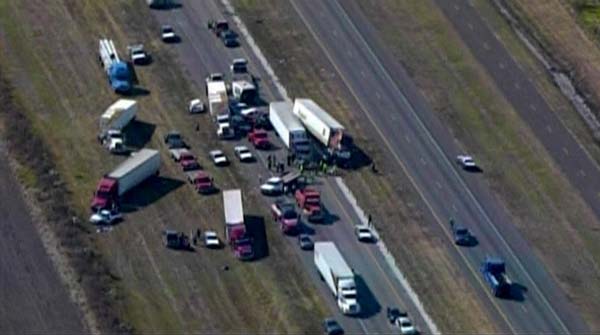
(133, 171)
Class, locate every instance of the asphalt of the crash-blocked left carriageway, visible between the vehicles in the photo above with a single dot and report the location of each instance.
(200, 52)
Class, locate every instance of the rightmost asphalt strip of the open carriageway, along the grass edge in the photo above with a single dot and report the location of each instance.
(527, 257)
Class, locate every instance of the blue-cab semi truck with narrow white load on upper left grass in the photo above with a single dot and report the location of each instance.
(119, 74)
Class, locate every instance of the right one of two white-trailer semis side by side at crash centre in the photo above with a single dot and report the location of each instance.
(327, 130)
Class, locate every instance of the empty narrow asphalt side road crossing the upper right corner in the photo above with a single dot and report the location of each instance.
(580, 169)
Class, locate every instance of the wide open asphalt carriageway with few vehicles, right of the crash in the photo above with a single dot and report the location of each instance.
(421, 146)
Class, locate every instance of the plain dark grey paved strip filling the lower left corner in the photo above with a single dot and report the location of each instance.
(32, 296)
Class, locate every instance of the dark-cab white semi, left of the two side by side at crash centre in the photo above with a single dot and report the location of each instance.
(289, 128)
